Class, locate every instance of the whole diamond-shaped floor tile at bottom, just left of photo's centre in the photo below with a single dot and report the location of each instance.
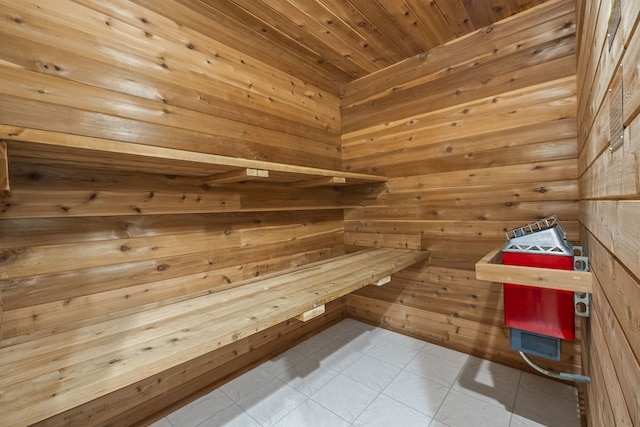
(271, 402)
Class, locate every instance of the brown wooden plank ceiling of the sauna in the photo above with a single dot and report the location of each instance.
(328, 43)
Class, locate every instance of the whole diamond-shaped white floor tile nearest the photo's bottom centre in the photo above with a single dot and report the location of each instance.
(345, 397)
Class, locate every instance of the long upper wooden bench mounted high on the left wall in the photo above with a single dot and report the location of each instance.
(52, 148)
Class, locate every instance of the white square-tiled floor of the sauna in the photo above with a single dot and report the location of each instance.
(354, 374)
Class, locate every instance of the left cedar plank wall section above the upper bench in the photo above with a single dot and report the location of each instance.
(120, 71)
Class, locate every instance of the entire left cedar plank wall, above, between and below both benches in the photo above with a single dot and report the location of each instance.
(79, 246)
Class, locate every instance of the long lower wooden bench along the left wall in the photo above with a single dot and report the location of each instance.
(49, 375)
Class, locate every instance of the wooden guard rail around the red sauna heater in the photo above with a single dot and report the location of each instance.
(490, 268)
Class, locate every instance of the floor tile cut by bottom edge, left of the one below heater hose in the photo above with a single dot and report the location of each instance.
(461, 410)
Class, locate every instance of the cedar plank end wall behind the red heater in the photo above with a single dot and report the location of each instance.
(478, 136)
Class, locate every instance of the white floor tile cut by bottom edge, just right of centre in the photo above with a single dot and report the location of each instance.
(387, 412)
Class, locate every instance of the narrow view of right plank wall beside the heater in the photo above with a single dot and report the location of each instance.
(610, 210)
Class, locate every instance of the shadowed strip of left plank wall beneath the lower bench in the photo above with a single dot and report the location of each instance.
(147, 400)
